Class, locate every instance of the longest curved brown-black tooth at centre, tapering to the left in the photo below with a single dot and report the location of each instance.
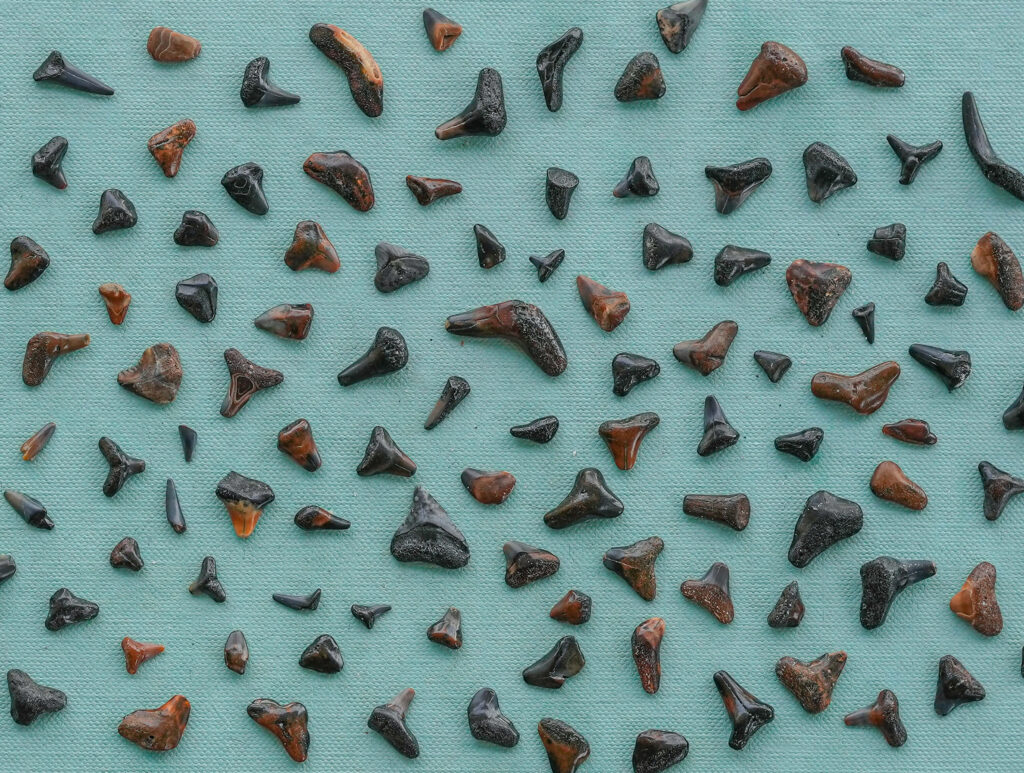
(523, 324)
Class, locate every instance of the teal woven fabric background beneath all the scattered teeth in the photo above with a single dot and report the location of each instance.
(945, 49)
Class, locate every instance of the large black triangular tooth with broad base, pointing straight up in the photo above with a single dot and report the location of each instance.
(429, 535)
